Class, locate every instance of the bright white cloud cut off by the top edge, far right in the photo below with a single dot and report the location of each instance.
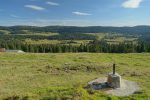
(132, 3)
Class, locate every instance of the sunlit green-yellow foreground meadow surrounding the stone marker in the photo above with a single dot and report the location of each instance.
(64, 75)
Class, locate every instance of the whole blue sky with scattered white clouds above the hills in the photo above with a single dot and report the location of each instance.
(75, 12)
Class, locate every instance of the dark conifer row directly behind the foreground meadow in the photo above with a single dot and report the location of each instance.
(94, 47)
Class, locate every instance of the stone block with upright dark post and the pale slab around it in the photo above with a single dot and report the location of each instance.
(113, 84)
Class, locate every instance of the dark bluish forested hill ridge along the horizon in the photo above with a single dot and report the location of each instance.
(143, 30)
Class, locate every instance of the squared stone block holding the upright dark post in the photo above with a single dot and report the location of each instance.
(114, 80)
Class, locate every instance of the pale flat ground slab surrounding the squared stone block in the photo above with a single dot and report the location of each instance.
(127, 87)
